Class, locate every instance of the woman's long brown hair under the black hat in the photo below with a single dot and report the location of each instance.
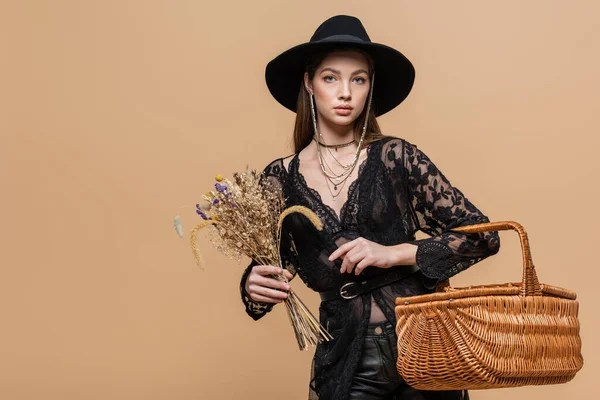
(303, 128)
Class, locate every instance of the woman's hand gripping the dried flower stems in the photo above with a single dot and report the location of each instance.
(262, 288)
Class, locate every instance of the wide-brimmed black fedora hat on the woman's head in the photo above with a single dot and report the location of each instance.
(394, 73)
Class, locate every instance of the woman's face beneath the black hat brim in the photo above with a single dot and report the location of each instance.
(340, 86)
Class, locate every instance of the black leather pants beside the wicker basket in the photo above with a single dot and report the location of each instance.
(376, 376)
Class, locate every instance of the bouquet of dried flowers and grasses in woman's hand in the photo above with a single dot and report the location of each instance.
(247, 216)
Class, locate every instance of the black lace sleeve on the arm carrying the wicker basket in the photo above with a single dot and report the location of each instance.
(436, 206)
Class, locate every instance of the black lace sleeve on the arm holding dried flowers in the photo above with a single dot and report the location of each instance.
(274, 173)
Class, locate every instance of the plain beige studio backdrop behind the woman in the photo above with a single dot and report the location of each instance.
(115, 114)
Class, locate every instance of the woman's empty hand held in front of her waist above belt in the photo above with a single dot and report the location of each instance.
(361, 253)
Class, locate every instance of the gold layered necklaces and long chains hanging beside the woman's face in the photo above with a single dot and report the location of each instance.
(335, 180)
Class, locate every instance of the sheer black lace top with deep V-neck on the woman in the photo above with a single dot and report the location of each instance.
(397, 192)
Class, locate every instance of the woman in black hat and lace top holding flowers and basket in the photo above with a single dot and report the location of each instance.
(372, 192)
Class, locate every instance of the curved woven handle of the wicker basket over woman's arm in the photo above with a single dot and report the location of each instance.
(530, 284)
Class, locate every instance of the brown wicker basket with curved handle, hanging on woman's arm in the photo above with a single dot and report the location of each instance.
(491, 336)
